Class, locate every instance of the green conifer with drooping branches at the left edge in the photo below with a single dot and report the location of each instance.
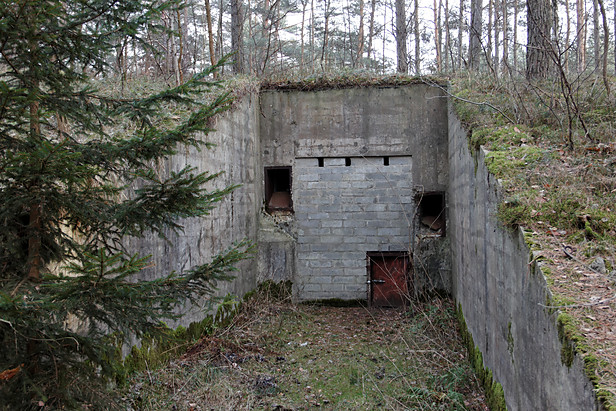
(69, 154)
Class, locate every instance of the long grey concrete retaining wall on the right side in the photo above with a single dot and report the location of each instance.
(501, 293)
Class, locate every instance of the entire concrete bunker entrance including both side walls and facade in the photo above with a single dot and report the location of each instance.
(374, 176)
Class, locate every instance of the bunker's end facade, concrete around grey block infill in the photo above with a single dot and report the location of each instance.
(362, 160)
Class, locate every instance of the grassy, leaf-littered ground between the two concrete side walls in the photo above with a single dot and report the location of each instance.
(277, 355)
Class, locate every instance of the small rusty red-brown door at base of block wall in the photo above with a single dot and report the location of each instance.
(389, 280)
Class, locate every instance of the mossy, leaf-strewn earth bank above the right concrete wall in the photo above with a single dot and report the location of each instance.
(564, 197)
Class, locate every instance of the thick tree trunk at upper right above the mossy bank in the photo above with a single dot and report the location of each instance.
(538, 59)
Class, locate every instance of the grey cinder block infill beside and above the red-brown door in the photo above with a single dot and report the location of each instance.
(342, 212)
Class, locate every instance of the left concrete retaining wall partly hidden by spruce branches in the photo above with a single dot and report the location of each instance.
(232, 219)
